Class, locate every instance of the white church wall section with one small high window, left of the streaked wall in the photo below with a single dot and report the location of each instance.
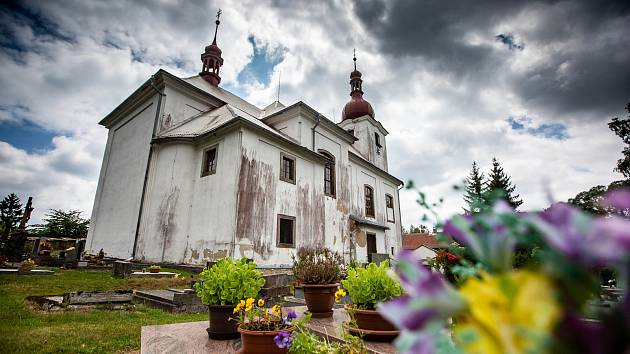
(189, 218)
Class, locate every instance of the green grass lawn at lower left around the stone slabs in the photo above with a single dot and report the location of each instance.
(23, 330)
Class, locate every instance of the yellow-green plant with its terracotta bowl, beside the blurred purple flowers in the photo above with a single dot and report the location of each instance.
(367, 287)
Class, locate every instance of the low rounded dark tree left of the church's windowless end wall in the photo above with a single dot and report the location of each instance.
(59, 223)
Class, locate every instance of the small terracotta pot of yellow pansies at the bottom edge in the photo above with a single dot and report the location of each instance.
(262, 328)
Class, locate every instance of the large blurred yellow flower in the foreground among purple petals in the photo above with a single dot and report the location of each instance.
(511, 313)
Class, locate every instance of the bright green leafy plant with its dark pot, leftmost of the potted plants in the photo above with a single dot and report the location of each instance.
(221, 287)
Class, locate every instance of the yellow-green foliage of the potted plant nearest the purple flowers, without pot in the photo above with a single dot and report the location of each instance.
(371, 285)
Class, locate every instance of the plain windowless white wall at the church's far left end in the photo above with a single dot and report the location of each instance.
(117, 203)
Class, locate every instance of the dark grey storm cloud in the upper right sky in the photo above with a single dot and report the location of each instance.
(592, 38)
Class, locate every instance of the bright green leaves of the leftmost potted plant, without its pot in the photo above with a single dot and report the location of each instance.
(228, 282)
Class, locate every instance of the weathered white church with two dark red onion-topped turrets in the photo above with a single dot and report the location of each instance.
(193, 173)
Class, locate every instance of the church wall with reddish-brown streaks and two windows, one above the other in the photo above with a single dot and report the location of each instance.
(262, 196)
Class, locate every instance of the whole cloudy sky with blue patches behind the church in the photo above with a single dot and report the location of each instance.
(531, 83)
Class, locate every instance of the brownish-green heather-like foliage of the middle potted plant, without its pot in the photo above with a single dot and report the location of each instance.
(317, 266)
